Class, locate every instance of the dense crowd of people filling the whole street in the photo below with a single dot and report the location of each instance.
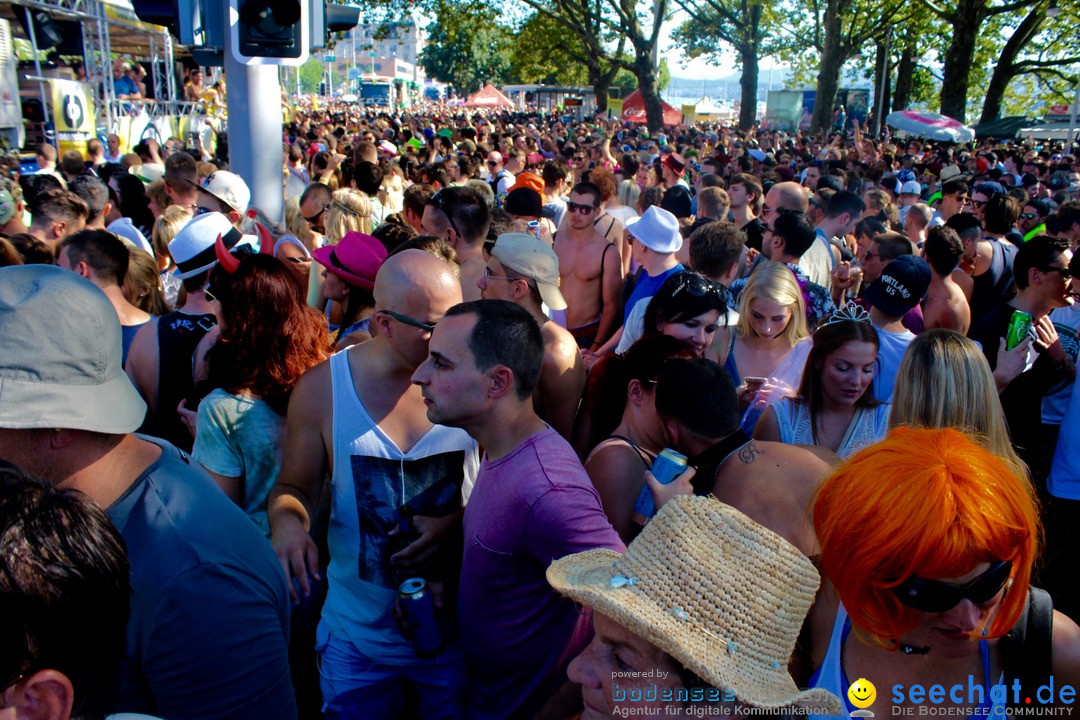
(371, 459)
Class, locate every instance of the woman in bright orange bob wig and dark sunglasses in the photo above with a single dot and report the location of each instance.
(927, 542)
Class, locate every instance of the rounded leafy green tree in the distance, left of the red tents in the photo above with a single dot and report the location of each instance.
(467, 48)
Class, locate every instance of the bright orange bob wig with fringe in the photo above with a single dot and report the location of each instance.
(931, 504)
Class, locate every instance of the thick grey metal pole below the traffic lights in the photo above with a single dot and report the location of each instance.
(255, 138)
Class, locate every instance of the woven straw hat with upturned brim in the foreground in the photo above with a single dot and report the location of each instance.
(718, 592)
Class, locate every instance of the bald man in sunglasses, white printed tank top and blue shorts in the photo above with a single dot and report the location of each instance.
(397, 487)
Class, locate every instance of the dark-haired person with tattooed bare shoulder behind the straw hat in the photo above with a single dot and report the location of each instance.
(773, 483)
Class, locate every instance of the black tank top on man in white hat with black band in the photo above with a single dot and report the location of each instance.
(179, 335)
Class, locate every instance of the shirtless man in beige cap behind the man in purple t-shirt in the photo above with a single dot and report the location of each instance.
(524, 270)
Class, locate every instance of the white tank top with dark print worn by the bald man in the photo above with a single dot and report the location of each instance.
(372, 480)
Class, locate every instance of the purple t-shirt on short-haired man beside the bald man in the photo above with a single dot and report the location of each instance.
(530, 508)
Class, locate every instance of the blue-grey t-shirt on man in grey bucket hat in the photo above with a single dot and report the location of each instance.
(209, 631)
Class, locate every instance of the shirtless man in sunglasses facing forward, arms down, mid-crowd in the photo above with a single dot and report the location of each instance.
(590, 269)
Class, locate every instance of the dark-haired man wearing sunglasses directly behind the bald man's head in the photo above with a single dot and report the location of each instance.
(462, 218)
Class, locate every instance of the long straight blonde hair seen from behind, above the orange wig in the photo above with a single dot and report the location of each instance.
(944, 382)
